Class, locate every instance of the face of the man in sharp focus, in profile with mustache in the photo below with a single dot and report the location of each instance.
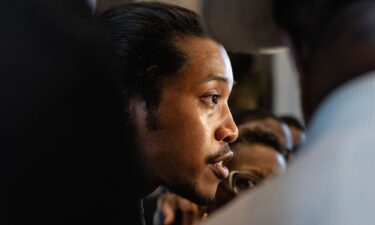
(188, 151)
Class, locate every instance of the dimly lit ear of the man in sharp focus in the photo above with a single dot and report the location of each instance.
(138, 112)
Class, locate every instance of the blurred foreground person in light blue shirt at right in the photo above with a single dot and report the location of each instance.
(333, 45)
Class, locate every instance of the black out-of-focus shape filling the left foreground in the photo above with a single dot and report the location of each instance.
(63, 156)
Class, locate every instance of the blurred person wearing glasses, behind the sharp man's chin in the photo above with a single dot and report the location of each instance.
(258, 156)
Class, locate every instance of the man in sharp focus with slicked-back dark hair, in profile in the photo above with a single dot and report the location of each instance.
(175, 83)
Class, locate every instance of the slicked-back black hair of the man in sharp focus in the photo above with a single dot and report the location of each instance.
(144, 37)
